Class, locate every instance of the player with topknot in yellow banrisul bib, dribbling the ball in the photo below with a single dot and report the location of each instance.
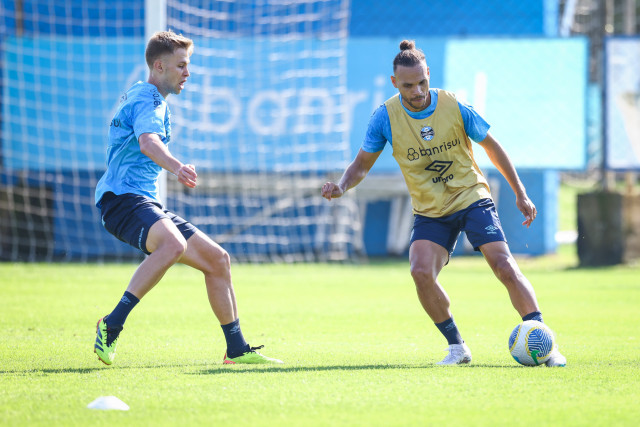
(430, 133)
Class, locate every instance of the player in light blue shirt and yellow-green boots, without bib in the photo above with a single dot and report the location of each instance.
(127, 196)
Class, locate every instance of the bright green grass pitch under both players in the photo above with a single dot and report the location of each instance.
(358, 348)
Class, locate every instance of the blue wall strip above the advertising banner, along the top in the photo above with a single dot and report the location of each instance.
(400, 18)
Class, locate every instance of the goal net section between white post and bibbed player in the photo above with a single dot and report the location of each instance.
(264, 118)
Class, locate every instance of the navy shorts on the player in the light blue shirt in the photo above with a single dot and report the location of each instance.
(130, 216)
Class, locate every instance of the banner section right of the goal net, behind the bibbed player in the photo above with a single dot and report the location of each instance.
(536, 110)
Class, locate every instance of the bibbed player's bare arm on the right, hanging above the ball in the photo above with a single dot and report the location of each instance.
(502, 162)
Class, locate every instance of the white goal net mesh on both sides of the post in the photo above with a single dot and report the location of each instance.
(262, 118)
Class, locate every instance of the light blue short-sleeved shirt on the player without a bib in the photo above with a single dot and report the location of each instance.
(142, 110)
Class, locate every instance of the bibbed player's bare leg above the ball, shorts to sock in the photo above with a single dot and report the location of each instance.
(506, 269)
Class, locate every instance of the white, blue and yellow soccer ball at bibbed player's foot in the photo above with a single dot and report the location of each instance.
(531, 343)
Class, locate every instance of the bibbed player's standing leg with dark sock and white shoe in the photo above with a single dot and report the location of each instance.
(427, 260)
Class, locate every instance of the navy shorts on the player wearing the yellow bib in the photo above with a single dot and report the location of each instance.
(479, 221)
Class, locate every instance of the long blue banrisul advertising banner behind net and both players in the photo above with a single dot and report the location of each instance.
(279, 105)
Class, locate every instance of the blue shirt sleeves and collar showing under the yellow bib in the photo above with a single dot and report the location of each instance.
(379, 130)
